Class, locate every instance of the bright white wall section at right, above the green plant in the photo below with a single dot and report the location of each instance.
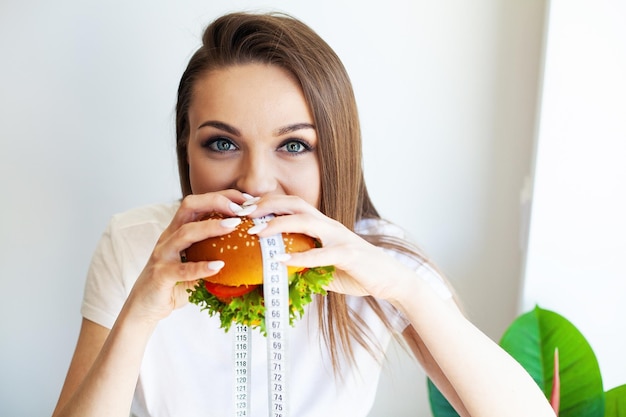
(577, 244)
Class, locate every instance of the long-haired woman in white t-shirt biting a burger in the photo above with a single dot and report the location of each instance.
(266, 110)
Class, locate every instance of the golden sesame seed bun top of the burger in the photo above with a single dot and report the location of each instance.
(241, 253)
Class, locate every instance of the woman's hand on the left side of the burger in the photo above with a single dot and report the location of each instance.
(163, 283)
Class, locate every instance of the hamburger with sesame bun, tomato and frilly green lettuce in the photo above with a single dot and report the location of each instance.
(236, 292)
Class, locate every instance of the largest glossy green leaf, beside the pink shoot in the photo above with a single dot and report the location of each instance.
(531, 340)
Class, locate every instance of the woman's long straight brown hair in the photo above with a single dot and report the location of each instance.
(281, 40)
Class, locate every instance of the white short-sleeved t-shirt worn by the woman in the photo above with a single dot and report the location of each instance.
(187, 366)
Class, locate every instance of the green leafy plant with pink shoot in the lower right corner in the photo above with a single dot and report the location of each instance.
(561, 362)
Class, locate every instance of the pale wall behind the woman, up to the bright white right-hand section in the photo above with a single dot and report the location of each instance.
(447, 94)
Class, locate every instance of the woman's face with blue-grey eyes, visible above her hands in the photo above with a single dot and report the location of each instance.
(251, 130)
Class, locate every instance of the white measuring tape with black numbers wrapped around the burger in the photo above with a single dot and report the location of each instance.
(276, 299)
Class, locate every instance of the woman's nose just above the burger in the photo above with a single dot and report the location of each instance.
(256, 175)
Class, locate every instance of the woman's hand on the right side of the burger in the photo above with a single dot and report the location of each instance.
(360, 267)
